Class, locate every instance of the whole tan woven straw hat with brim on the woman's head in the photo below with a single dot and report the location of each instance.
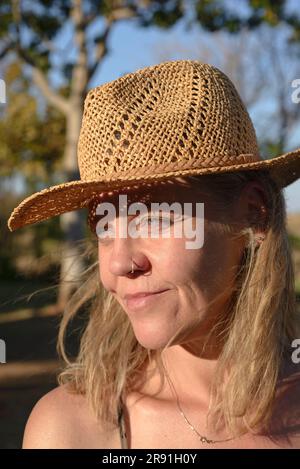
(180, 117)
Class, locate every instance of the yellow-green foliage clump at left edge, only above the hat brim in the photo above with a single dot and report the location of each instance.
(30, 144)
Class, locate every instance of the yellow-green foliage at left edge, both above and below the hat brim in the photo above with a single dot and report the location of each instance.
(29, 157)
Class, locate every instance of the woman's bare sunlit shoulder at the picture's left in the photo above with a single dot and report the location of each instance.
(63, 420)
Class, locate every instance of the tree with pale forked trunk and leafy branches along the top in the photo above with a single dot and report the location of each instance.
(31, 30)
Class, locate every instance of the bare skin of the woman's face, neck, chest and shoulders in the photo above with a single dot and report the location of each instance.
(193, 278)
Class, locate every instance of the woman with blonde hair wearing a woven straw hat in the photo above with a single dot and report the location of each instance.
(205, 359)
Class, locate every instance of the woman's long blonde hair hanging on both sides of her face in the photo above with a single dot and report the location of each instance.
(256, 333)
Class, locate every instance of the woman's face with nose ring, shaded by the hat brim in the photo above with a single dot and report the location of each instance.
(187, 278)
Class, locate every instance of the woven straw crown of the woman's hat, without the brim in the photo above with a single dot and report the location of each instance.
(167, 117)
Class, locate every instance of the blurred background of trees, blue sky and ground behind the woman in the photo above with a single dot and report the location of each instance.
(51, 53)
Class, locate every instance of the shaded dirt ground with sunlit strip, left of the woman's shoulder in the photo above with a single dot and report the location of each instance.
(31, 358)
